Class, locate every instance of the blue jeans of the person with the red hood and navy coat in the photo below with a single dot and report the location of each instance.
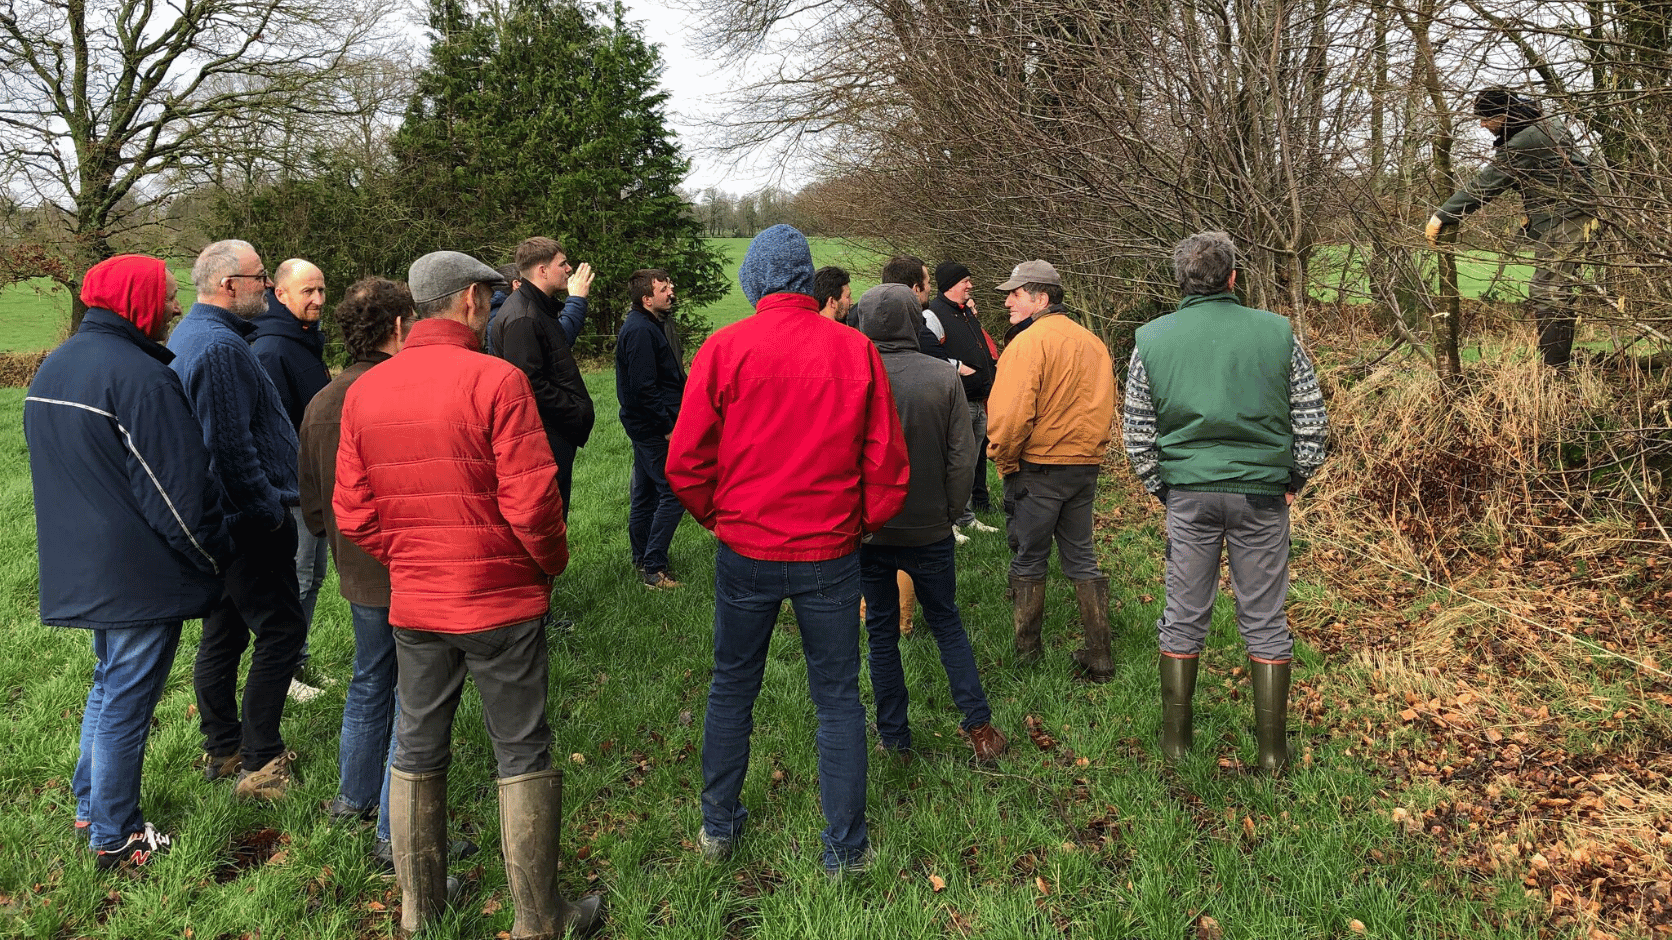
(131, 670)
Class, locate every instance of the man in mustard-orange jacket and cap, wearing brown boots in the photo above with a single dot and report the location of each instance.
(1048, 422)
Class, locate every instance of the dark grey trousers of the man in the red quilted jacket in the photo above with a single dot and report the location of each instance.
(511, 672)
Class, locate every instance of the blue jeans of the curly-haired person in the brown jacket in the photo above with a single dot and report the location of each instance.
(369, 712)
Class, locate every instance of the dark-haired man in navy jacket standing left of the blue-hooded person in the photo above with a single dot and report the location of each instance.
(650, 384)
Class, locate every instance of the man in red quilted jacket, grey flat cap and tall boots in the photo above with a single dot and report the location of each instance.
(446, 476)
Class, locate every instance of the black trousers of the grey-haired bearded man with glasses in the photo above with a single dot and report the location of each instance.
(260, 600)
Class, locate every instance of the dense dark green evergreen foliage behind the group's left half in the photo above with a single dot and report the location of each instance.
(536, 118)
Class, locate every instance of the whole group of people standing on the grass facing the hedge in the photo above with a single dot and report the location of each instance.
(827, 454)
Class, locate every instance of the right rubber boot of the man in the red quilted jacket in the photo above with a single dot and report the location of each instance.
(531, 814)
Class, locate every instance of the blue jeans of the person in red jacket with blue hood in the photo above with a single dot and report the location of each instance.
(827, 603)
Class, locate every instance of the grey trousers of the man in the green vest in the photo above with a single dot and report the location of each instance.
(1257, 533)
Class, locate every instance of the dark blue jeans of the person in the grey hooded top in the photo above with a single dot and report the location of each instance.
(935, 576)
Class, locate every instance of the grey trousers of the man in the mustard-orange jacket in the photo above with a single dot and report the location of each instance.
(1046, 501)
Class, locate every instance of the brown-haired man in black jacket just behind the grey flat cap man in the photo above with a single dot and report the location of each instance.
(529, 334)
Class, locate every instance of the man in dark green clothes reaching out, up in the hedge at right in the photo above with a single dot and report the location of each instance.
(1536, 156)
